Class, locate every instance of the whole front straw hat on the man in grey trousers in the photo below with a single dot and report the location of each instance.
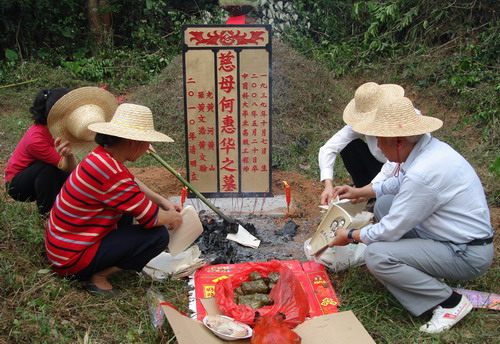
(396, 117)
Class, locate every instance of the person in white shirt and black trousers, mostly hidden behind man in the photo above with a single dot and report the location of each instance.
(363, 160)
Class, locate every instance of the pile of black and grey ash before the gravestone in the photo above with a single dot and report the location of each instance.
(277, 240)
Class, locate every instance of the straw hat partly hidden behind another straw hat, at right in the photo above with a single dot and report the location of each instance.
(366, 99)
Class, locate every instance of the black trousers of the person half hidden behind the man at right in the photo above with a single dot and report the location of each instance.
(360, 163)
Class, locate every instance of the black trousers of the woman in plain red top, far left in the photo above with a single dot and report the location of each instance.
(39, 182)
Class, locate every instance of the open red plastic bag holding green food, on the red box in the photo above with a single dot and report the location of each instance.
(288, 295)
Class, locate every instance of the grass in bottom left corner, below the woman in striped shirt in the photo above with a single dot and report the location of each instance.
(38, 306)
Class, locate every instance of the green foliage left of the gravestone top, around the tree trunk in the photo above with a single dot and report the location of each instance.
(145, 36)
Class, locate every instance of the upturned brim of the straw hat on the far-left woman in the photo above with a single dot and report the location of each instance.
(57, 120)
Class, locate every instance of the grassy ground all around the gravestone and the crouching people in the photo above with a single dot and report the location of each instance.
(36, 306)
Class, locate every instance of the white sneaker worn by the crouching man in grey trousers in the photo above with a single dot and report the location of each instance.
(444, 318)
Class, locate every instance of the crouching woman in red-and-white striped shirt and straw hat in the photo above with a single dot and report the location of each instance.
(89, 233)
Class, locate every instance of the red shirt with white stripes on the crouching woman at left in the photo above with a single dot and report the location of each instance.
(89, 206)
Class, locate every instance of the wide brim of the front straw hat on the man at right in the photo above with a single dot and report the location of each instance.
(420, 125)
